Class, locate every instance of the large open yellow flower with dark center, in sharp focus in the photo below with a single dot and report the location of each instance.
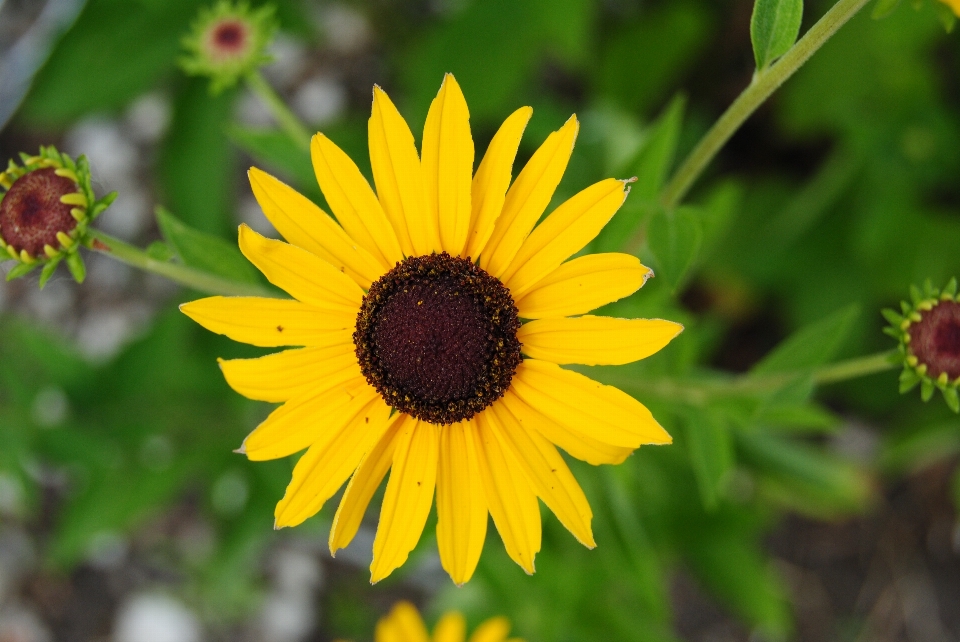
(415, 360)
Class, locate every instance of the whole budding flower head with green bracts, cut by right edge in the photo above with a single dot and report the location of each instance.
(929, 333)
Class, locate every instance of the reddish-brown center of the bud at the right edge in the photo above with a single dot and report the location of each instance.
(935, 339)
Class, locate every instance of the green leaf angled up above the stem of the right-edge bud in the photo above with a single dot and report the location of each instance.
(811, 346)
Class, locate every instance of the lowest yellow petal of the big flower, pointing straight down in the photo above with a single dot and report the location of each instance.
(461, 506)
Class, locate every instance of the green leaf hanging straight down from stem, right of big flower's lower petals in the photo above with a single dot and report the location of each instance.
(711, 454)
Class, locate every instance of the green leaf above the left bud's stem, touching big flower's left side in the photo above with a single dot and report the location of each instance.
(205, 251)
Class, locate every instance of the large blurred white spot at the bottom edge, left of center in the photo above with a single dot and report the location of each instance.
(155, 618)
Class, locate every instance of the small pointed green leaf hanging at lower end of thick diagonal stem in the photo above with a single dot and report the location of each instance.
(674, 239)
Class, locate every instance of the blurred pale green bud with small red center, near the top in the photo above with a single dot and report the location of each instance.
(227, 41)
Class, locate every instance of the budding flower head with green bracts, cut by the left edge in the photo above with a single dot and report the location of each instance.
(46, 205)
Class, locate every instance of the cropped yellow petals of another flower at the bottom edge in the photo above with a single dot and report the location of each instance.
(403, 623)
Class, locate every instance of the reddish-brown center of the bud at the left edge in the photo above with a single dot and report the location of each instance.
(31, 213)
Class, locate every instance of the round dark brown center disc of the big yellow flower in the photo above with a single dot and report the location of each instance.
(437, 337)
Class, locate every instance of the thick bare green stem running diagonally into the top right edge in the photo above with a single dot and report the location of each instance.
(764, 83)
